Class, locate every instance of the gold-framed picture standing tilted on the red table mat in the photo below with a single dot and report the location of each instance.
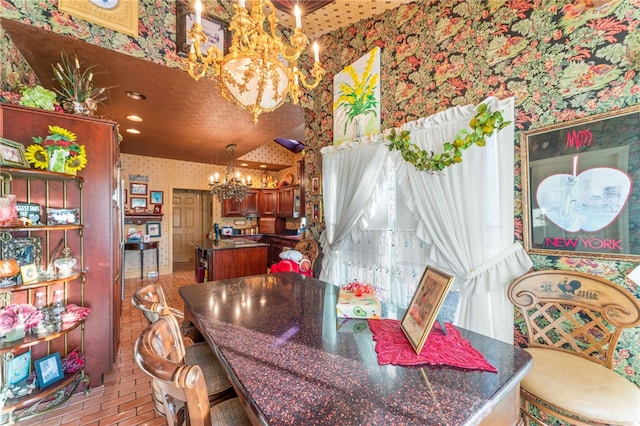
(423, 309)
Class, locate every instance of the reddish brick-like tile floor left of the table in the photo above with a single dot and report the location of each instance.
(125, 397)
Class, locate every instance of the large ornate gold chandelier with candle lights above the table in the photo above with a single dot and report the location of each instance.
(260, 70)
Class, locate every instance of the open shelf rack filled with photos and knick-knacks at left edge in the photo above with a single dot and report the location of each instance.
(49, 285)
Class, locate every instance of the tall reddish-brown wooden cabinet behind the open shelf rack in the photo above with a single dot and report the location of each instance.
(101, 225)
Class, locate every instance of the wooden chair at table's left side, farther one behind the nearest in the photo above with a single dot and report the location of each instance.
(150, 299)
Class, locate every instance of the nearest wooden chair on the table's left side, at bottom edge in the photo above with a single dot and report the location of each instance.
(182, 387)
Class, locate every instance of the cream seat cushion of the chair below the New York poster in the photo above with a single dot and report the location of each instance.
(582, 387)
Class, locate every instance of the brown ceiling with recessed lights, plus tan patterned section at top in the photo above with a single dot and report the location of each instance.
(183, 119)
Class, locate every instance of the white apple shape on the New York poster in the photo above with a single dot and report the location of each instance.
(589, 201)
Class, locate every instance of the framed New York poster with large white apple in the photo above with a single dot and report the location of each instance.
(578, 180)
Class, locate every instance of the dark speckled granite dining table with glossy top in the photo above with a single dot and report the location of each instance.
(293, 362)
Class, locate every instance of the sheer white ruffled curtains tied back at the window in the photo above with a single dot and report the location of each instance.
(460, 221)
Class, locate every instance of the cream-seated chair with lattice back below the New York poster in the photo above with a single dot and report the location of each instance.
(574, 321)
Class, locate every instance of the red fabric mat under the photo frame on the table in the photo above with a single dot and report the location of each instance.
(393, 347)
